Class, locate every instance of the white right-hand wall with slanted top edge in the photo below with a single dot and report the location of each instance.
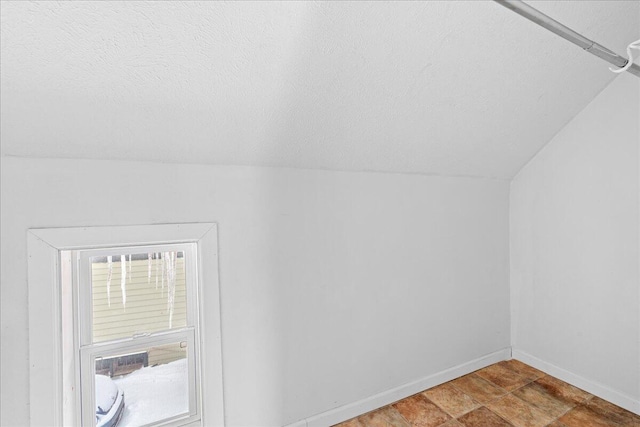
(574, 250)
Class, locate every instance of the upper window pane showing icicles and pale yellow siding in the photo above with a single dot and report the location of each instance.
(138, 293)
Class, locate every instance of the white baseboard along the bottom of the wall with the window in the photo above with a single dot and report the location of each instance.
(345, 412)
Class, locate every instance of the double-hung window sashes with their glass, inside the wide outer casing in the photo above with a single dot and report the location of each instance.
(137, 333)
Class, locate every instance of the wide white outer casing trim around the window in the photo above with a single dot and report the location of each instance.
(52, 404)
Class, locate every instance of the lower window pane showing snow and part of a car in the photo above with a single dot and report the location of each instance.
(143, 387)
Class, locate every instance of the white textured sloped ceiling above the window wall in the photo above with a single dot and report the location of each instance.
(457, 88)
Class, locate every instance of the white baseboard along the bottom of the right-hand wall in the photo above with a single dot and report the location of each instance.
(593, 387)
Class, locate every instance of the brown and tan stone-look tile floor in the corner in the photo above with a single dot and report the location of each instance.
(507, 394)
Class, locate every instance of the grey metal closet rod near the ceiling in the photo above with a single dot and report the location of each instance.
(567, 33)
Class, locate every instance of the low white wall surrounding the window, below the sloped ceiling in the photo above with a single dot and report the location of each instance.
(335, 286)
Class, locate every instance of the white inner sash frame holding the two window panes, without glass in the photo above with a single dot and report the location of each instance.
(85, 364)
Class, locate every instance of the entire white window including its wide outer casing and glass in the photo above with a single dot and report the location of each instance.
(128, 326)
